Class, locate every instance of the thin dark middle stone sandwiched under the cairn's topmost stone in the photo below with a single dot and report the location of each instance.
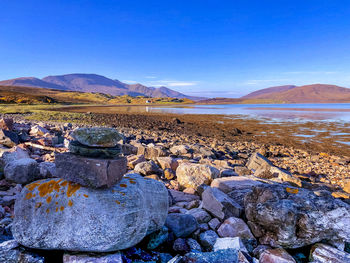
(97, 152)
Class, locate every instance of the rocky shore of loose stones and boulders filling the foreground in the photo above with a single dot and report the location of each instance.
(176, 198)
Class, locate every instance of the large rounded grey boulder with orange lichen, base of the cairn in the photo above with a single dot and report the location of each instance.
(60, 215)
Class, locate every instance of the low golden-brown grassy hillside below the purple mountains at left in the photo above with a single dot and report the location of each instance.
(31, 95)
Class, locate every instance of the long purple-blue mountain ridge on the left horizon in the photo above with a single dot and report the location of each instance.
(95, 83)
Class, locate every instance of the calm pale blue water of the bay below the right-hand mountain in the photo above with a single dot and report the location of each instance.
(275, 112)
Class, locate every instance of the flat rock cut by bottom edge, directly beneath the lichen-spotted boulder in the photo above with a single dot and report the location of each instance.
(86, 258)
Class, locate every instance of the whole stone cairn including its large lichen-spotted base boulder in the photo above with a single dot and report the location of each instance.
(93, 206)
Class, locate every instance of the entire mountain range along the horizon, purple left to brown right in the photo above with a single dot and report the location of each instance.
(315, 93)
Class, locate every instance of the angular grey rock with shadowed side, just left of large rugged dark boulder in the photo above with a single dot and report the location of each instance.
(219, 204)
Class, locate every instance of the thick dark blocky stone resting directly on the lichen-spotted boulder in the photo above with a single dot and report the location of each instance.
(90, 172)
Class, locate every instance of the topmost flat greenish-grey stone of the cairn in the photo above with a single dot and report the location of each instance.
(97, 137)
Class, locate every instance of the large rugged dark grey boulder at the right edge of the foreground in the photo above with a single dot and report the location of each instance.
(293, 218)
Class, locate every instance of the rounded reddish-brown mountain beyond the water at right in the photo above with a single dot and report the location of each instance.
(315, 93)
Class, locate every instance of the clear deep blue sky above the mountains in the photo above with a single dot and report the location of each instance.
(204, 48)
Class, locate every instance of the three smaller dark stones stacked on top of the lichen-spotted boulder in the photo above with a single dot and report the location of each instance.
(95, 159)
